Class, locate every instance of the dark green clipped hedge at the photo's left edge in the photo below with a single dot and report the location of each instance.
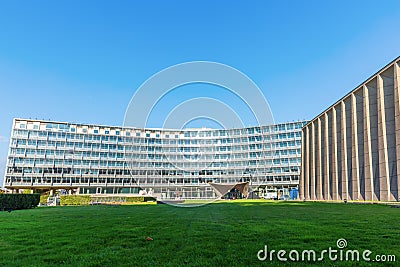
(18, 201)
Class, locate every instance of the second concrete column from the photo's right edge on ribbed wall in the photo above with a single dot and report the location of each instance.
(384, 180)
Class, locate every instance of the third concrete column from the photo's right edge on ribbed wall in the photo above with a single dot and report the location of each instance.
(368, 171)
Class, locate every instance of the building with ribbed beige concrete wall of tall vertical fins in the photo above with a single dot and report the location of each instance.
(352, 149)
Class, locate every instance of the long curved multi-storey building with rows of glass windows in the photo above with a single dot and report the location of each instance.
(94, 159)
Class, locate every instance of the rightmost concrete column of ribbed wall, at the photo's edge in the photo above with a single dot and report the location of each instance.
(397, 121)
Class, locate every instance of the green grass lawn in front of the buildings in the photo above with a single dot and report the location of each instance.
(218, 234)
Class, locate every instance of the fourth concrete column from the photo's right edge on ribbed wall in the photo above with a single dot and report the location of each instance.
(355, 160)
